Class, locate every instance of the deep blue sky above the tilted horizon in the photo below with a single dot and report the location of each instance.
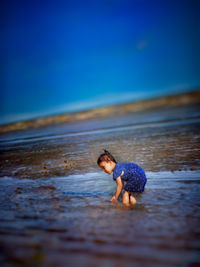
(64, 56)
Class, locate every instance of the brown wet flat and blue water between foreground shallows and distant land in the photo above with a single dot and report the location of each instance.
(158, 140)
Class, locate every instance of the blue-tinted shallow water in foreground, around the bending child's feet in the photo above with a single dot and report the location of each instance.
(56, 220)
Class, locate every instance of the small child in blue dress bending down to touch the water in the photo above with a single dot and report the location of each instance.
(128, 172)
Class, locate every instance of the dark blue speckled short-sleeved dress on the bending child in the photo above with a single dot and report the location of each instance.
(134, 176)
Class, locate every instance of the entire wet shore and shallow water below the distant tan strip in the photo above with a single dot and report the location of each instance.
(54, 200)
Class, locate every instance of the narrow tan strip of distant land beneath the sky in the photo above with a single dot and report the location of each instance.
(183, 99)
